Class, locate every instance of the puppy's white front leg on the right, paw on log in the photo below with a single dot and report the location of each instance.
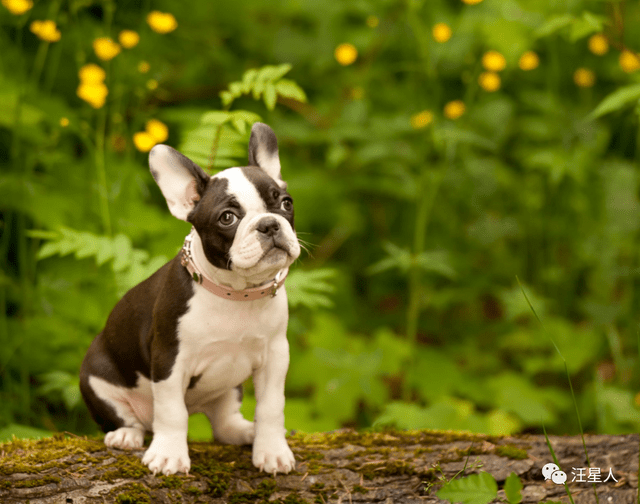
(271, 452)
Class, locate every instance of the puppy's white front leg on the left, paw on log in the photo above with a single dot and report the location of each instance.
(168, 452)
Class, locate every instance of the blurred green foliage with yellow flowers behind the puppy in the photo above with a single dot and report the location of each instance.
(445, 157)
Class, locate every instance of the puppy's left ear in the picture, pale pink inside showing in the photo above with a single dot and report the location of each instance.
(181, 181)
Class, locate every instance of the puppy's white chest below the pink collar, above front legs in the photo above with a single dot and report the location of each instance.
(220, 342)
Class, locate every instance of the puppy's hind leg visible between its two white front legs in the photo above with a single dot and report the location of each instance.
(228, 424)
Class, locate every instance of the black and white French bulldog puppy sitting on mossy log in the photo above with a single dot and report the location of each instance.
(185, 339)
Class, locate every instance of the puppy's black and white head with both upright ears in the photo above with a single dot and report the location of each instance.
(243, 215)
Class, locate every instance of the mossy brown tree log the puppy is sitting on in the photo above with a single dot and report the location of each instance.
(338, 467)
